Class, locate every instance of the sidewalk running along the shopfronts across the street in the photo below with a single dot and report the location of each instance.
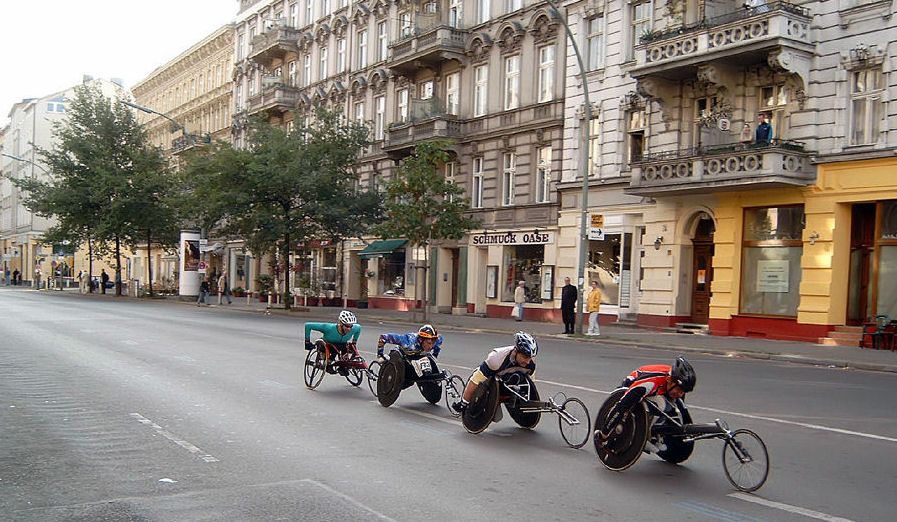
(787, 351)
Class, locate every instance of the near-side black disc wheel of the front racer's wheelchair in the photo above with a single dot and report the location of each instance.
(625, 444)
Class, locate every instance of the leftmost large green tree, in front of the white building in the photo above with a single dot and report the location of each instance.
(107, 185)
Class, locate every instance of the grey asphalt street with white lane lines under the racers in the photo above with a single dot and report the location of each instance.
(122, 409)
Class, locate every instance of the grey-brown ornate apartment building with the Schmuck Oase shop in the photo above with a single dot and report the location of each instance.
(421, 70)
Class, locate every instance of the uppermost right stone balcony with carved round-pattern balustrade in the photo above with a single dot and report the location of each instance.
(745, 37)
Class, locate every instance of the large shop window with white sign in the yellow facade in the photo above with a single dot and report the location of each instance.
(772, 246)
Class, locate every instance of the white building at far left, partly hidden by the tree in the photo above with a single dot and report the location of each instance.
(31, 128)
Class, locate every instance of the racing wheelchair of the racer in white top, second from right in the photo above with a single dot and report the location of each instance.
(517, 391)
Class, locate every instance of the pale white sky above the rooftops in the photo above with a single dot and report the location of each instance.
(47, 46)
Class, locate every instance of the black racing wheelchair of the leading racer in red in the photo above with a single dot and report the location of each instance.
(668, 428)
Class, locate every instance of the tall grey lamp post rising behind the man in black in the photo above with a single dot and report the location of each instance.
(583, 170)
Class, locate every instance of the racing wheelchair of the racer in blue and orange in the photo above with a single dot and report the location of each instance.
(405, 368)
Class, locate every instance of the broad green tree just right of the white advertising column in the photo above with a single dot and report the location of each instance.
(285, 188)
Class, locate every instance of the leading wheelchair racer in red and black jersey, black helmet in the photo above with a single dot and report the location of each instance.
(648, 381)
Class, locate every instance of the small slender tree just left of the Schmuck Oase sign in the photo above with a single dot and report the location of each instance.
(422, 206)
